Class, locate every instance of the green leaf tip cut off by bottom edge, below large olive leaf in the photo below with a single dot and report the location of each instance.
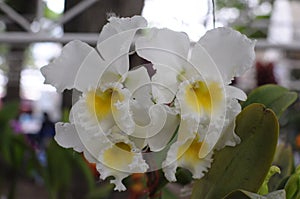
(242, 194)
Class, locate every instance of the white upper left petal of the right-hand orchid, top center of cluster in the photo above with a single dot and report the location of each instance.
(165, 47)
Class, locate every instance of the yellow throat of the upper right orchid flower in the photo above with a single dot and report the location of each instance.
(203, 97)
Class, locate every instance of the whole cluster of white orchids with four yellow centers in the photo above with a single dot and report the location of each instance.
(123, 119)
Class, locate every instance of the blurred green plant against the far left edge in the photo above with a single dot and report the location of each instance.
(16, 157)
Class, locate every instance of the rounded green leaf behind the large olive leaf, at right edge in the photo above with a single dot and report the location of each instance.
(272, 96)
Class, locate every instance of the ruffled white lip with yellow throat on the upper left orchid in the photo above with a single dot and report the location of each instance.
(108, 107)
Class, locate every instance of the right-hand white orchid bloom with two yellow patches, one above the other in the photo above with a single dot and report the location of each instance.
(198, 78)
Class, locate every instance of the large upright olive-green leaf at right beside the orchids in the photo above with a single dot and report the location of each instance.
(246, 165)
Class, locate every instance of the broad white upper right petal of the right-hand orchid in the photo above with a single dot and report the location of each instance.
(232, 52)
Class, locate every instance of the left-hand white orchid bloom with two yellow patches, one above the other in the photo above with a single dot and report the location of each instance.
(101, 120)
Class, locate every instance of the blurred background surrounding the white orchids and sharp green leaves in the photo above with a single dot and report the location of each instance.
(32, 33)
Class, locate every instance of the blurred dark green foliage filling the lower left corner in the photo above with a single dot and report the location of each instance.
(65, 174)
